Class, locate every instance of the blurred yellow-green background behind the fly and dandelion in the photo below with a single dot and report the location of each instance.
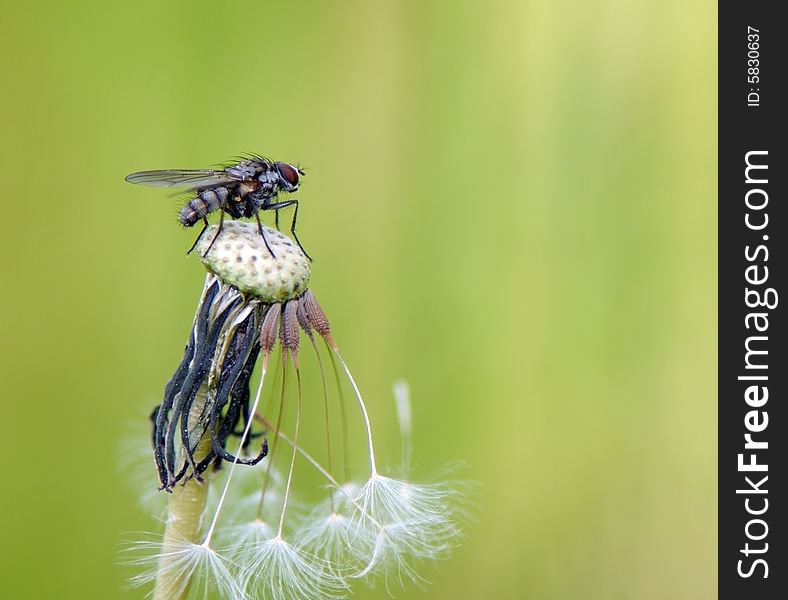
(512, 206)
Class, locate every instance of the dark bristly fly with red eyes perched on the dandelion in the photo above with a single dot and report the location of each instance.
(242, 190)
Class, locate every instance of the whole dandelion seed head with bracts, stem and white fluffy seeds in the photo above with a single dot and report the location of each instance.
(278, 548)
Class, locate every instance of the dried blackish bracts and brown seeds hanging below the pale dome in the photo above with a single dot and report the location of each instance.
(209, 392)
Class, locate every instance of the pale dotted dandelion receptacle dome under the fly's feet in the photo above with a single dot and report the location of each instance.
(239, 257)
